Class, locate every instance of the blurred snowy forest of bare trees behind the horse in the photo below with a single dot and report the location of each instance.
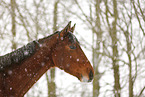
(111, 33)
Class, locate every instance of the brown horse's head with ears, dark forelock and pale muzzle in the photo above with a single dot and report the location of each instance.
(68, 56)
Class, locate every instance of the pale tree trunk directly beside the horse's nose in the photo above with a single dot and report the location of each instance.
(96, 56)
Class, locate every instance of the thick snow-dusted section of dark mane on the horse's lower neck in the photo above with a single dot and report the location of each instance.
(18, 55)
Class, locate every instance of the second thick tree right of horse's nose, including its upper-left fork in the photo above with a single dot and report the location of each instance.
(113, 34)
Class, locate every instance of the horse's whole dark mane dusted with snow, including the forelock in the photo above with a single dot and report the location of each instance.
(24, 52)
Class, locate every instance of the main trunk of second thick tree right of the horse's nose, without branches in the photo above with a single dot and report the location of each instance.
(113, 34)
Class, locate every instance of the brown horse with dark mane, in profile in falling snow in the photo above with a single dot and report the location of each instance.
(20, 69)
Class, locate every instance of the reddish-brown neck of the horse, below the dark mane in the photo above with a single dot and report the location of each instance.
(18, 80)
